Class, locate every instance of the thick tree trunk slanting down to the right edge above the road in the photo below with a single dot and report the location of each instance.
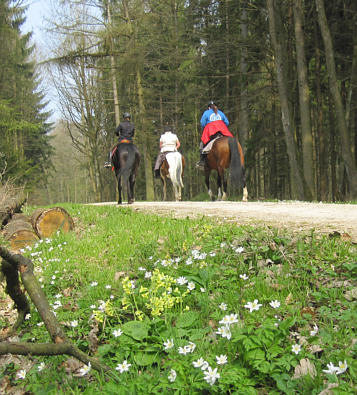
(336, 96)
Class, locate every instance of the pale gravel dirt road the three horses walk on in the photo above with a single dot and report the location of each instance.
(322, 217)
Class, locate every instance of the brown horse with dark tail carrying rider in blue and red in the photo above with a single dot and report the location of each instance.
(226, 152)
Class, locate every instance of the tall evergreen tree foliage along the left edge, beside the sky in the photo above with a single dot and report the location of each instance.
(24, 143)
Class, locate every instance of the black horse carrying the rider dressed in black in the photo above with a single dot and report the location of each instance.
(126, 160)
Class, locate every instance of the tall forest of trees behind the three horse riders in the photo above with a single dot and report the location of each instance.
(283, 71)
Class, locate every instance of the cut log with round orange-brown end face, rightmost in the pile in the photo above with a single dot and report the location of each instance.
(47, 221)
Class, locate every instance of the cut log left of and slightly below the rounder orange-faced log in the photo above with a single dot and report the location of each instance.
(20, 234)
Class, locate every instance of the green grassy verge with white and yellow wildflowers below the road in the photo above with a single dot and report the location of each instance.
(313, 277)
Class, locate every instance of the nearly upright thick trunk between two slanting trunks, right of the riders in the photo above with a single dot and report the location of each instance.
(304, 99)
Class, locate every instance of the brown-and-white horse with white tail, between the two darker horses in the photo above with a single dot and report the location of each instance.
(173, 168)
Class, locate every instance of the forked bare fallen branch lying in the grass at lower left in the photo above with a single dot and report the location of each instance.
(62, 345)
